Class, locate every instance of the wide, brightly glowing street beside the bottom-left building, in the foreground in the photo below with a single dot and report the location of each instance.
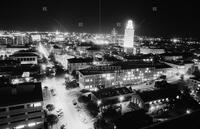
(63, 100)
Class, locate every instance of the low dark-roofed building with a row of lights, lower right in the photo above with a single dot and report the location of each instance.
(158, 99)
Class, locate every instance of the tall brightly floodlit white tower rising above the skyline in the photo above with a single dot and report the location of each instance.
(129, 38)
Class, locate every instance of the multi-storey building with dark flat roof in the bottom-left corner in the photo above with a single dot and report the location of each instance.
(21, 106)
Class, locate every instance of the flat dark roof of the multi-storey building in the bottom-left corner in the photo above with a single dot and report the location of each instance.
(20, 94)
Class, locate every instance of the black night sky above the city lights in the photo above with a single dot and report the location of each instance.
(180, 18)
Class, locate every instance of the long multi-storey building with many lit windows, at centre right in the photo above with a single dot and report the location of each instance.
(120, 74)
